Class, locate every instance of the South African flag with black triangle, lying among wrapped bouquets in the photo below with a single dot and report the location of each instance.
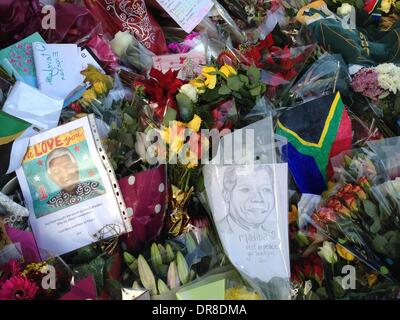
(316, 131)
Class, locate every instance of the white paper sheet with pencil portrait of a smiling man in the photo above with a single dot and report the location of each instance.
(250, 208)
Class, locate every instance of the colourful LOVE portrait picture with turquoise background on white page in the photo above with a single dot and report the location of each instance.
(61, 173)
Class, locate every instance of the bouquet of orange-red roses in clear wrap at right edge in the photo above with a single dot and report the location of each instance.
(361, 215)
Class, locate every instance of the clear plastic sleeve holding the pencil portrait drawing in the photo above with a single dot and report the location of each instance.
(248, 200)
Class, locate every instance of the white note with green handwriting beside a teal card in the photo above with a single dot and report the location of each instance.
(58, 68)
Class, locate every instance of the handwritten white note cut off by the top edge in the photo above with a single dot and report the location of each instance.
(187, 13)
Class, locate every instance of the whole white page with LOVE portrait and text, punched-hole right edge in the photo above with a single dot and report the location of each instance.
(70, 189)
